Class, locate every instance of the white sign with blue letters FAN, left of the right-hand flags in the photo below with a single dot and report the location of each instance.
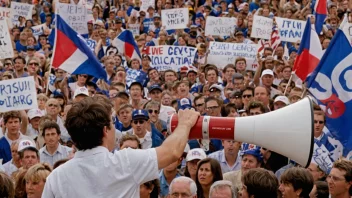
(290, 30)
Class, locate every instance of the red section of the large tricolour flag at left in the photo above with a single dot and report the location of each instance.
(64, 48)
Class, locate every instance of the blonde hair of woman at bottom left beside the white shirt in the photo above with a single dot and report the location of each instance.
(38, 172)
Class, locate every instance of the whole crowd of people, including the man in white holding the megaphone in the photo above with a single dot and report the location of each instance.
(93, 137)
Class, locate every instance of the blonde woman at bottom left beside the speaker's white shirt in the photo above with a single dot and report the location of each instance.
(35, 179)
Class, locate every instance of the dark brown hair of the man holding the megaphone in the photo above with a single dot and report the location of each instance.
(86, 120)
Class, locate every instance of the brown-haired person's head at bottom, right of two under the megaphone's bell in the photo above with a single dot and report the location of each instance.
(296, 183)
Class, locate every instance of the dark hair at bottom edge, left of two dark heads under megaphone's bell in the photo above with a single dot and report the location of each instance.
(260, 183)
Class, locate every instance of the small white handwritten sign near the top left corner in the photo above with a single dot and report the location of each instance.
(20, 9)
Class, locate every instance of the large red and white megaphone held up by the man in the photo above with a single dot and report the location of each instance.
(288, 131)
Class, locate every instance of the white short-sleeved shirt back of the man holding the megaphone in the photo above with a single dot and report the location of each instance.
(99, 173)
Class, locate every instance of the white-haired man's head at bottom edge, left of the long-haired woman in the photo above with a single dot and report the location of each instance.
(184, 187)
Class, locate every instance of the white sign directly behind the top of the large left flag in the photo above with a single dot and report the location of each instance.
(75, 16)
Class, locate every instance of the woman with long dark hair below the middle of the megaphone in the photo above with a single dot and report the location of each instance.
(208, 172)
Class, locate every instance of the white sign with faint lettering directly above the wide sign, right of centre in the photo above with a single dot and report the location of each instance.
(220, 26)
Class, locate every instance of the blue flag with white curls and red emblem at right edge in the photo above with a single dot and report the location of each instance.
(331, 85)
